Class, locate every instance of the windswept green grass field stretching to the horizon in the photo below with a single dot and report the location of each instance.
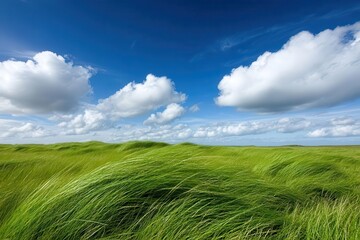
(146, 190)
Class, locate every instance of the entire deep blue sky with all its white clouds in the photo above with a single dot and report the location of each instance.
(212, 72)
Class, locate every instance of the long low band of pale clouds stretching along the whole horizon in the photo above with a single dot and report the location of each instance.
(80, 127)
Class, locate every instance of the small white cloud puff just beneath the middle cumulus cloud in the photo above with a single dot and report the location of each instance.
(171, 112)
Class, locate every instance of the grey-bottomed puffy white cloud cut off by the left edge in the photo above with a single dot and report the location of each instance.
(44, 84)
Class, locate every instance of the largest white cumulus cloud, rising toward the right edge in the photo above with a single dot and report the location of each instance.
(309, 71)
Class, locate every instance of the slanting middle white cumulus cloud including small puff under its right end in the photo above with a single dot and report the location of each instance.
(132, 100)
